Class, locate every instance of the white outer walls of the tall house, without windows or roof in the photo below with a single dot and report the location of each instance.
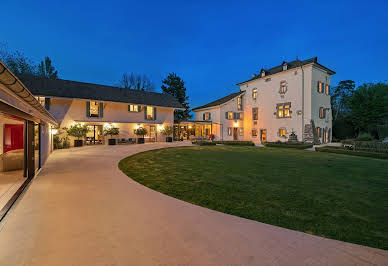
(301, 93)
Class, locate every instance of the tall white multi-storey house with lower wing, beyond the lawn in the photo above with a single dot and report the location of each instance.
(293, 97)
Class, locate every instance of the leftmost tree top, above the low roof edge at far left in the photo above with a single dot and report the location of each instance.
(16, 61)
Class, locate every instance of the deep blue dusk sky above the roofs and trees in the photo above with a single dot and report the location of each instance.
(212, 45)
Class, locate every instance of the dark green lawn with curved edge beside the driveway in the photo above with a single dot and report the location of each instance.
(332, 195)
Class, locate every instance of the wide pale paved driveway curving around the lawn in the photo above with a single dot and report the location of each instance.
(81, 210)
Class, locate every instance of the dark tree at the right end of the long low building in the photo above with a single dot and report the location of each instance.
(175, 86)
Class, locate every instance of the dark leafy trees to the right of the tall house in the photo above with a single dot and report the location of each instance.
(361, 111)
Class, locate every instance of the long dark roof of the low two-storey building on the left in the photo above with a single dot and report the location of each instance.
(80, 90)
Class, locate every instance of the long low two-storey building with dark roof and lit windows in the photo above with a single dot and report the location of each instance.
(100, 107)
